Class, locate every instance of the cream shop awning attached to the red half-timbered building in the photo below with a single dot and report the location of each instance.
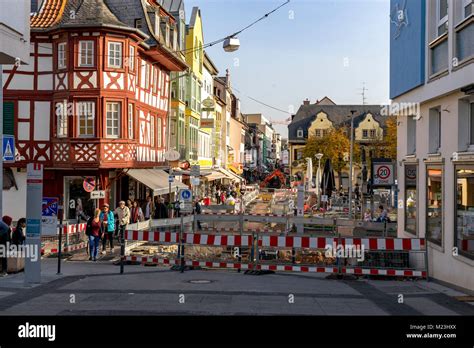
(155, 179)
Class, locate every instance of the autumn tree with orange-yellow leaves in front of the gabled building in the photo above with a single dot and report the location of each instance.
(335, 145)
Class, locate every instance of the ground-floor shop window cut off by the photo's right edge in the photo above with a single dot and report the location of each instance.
(464, 239)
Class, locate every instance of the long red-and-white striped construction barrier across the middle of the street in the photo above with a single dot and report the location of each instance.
(280, 250)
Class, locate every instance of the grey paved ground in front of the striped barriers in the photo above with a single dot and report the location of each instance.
(99, 289)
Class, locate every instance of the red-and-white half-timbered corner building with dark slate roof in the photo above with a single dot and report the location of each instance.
(93, 102)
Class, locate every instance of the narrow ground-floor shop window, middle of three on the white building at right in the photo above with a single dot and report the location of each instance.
(434, 221)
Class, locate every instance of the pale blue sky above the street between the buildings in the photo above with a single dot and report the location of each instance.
(308, 49)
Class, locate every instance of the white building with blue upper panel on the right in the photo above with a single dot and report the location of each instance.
(432, 83)
